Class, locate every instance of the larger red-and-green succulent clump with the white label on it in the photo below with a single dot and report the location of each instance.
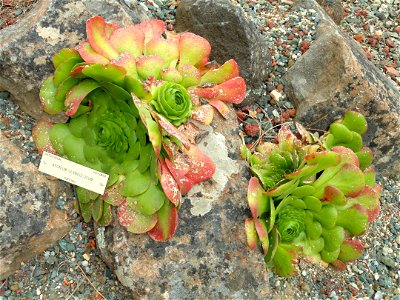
(130, 94)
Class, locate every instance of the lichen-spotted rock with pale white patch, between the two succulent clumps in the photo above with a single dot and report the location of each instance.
(208, 257)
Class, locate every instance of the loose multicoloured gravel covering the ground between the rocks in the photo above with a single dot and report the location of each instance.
(73, 268)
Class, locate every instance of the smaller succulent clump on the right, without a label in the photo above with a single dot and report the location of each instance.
(312, 199)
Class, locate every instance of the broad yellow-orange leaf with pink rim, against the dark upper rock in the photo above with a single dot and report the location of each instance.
(194, 49)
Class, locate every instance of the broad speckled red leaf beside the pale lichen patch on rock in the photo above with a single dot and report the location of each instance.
(201, 166)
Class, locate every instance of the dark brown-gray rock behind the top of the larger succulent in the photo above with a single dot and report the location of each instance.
(231, 35)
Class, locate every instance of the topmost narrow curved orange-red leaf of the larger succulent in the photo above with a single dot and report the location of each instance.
(96, 34)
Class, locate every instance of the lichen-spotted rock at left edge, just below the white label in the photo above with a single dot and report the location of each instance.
(29, 221)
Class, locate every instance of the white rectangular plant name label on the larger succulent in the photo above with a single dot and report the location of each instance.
(73, 173)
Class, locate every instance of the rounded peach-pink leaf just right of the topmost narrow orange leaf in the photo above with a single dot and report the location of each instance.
(129, 39)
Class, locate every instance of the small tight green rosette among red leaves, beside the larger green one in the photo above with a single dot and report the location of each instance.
(172, 101)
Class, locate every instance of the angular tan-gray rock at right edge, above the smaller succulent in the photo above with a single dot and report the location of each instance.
(334, 76)
